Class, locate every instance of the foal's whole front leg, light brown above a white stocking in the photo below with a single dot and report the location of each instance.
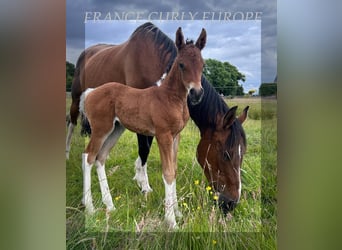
(165, 144)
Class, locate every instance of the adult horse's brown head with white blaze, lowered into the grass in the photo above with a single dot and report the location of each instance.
(220, 153)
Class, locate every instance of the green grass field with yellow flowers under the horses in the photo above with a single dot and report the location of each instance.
(137, 222)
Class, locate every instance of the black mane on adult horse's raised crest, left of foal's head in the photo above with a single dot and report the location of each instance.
(164, 44)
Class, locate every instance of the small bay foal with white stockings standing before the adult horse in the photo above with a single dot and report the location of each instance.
(159, 111)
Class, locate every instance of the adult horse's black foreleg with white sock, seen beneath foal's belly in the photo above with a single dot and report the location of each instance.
(141, 176)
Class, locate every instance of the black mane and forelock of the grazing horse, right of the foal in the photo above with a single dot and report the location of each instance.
(205, 113)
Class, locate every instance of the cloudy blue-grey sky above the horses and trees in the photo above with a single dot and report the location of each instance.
(250, 45)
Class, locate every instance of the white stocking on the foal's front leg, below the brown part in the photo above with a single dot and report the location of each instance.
(169, 203)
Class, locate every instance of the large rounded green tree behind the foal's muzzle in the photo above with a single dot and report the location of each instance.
(224, 77)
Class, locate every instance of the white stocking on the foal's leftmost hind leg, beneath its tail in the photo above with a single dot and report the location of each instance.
(87, 198)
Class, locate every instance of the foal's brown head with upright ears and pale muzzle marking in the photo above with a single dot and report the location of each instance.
(190, 62)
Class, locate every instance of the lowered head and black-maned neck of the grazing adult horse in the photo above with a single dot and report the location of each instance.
(222, 144)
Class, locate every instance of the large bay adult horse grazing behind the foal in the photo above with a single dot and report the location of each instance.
(125, 63)
